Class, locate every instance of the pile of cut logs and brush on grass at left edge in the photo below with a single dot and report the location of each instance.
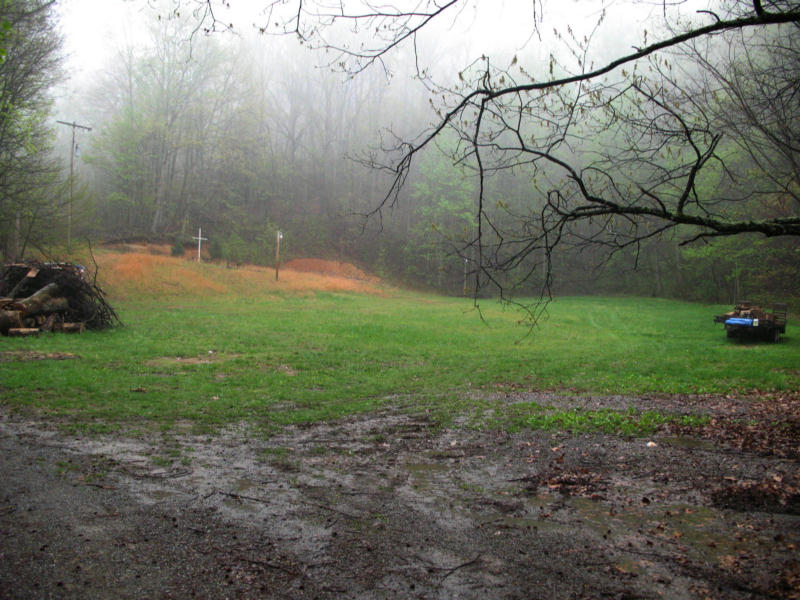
(37, 297)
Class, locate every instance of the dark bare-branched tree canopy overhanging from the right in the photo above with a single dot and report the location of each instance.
(692, 136)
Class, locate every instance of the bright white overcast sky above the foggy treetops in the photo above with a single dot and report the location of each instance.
(94, 29)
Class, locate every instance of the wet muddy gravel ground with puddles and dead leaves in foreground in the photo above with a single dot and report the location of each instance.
(388, 506)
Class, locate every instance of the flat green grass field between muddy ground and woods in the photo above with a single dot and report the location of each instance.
(289, 358)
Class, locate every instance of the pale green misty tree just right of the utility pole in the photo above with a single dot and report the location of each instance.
(165, 107)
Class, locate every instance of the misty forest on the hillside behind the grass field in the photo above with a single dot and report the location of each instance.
(245, 135)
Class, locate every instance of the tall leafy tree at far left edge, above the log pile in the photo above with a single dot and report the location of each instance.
(31, 194)
